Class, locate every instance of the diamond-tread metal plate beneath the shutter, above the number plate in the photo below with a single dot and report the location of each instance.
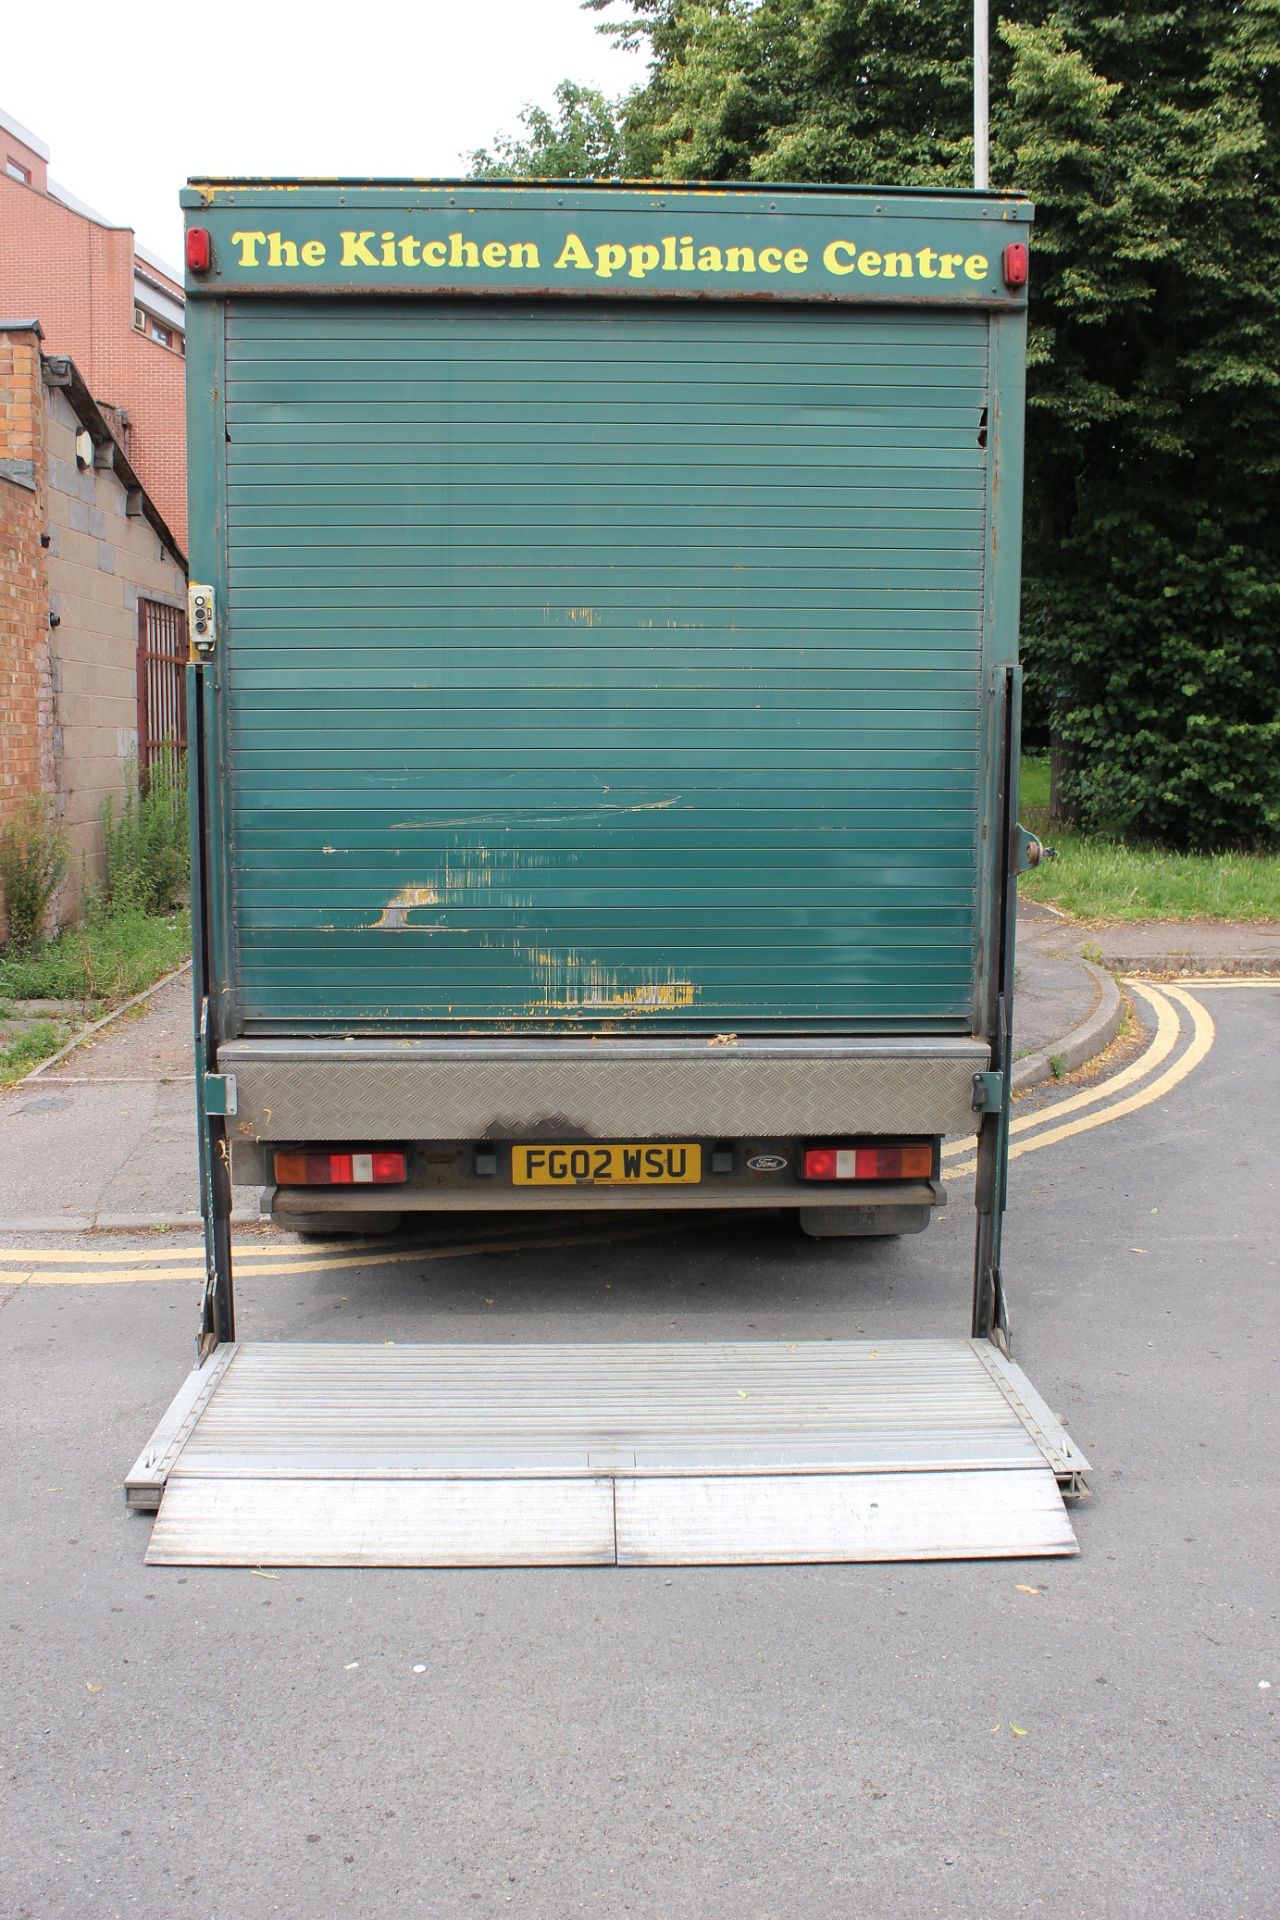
(473, 1090)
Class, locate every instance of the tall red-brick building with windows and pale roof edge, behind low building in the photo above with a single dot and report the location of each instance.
(107, 304)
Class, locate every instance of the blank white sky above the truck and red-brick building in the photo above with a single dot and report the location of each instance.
(131, 101)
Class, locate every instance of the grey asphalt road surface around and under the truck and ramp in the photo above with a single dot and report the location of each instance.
(792, 1744)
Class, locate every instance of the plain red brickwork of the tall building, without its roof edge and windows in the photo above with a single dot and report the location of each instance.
(76, 277)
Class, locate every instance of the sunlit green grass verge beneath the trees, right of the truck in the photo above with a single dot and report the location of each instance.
(1099, 878)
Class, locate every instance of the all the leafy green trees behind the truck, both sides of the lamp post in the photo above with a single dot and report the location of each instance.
(1150, 139)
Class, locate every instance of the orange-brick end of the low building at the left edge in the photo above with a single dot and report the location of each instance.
(26, 684)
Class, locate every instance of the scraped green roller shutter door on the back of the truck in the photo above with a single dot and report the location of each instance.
(604, 667)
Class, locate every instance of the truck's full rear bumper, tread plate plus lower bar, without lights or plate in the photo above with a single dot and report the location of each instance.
(440, 1097)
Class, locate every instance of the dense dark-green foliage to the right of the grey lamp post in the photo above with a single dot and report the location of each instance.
(1154, 558)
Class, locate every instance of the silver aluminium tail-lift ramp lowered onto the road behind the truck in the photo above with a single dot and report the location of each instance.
(623, 1454)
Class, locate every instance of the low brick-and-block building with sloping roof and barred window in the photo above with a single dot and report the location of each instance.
(93, 592)
